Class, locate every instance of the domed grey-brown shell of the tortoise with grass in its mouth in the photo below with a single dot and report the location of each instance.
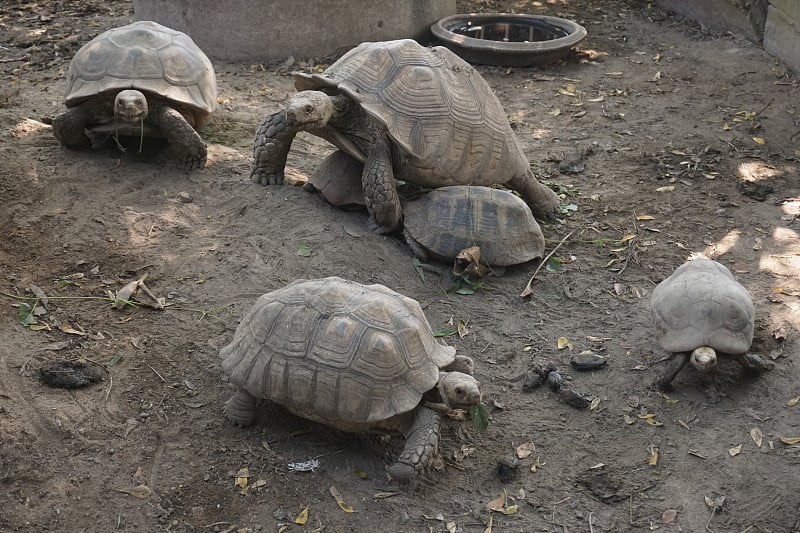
(148, 57)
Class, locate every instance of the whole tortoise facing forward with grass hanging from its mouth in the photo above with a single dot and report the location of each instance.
(140, 79)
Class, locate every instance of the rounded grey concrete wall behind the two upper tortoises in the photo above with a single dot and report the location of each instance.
(260, 30)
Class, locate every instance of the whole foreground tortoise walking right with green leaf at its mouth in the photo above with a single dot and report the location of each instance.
(354, 357)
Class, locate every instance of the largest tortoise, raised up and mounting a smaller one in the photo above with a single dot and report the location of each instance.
(418, 114)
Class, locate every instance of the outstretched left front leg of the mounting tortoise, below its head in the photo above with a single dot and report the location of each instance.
(270, 149)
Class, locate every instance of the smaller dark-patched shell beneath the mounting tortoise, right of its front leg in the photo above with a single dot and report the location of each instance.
(449, 219)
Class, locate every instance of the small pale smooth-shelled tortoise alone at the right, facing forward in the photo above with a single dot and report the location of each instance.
(699, 310)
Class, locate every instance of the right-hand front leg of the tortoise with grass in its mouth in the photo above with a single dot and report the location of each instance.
(185, 143)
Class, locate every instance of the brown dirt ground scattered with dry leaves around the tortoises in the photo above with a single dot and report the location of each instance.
(690, 144)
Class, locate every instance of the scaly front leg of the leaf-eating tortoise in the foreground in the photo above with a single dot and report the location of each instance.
(422, 444)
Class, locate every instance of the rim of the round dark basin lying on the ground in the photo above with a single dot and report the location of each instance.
(518, 54)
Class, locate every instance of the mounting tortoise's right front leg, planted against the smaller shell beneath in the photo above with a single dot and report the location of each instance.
(380, 191)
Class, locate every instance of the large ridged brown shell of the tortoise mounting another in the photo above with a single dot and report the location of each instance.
(435, 106)
